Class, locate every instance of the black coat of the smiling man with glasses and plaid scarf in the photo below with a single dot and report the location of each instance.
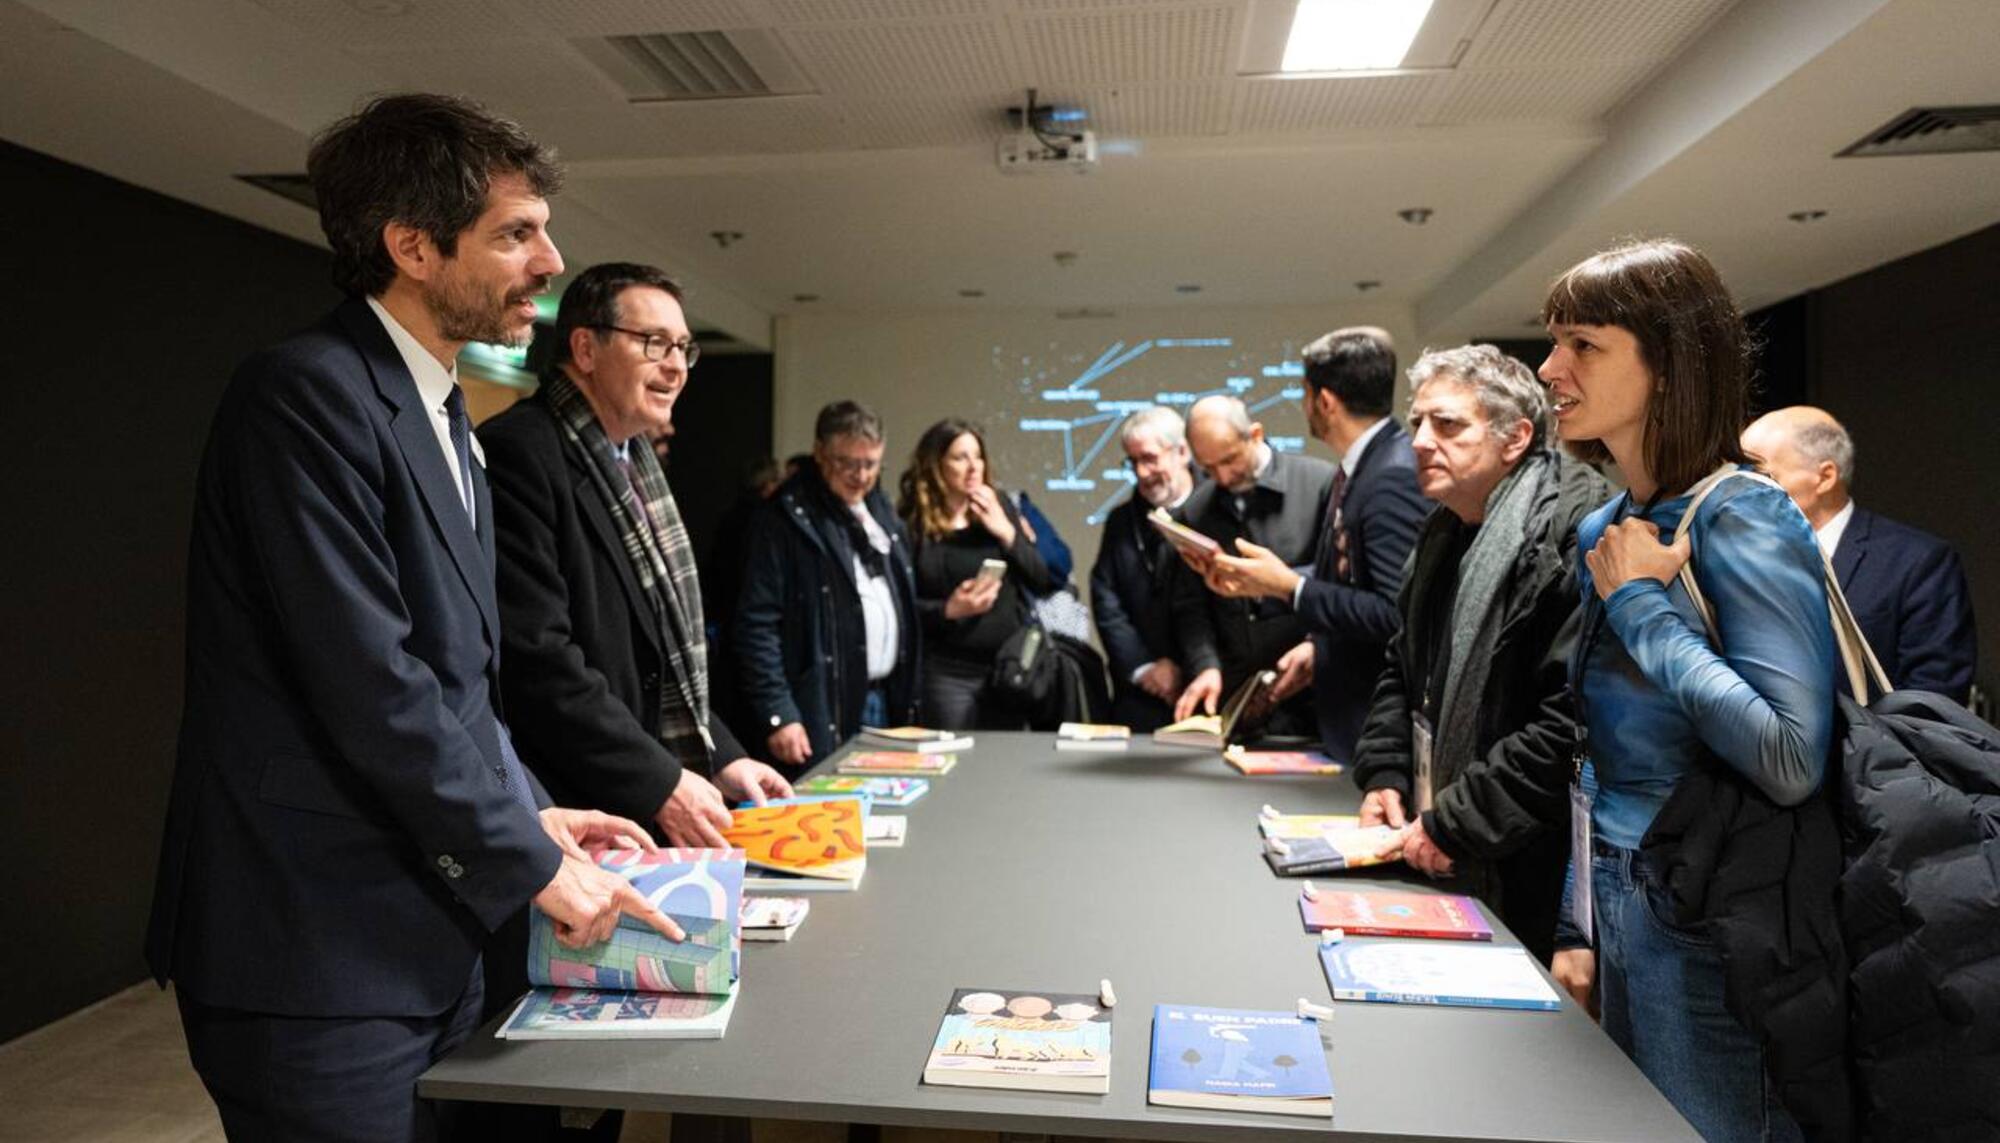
(583, 652)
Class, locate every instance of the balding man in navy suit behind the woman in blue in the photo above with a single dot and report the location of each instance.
(1907, 586)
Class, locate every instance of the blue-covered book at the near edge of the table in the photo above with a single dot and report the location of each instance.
(1239, 1060)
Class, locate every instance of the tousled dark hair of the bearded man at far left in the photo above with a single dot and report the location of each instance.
(421, 161)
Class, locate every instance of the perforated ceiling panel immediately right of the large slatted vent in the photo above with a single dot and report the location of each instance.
(911, 59)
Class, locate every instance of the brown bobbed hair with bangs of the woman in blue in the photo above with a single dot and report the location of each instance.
(1695, 345)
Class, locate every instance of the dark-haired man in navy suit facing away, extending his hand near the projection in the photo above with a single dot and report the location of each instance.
(1349, 600)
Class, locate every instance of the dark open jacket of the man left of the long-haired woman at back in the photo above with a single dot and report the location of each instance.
(799, 642)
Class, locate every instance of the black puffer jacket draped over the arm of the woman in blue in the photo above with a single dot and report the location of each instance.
(1881, 1016)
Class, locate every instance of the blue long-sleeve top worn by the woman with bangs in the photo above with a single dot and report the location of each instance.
(1657, 696)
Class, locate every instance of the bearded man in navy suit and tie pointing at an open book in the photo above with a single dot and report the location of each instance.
(349, 820)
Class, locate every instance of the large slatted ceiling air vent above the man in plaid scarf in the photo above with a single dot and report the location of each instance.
(677, 67)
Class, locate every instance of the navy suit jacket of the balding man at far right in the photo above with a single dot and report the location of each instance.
(1909, 592)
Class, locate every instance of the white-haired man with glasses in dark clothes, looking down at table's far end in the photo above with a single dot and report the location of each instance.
(1131, 584)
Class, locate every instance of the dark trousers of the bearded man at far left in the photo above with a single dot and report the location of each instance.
(325, 1080)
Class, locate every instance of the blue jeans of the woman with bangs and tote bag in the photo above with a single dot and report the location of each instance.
(1661, 1000)
